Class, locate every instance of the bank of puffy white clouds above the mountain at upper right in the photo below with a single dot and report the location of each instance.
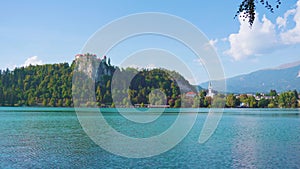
(264, 36)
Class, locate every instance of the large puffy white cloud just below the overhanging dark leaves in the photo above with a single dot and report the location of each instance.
(252, 41)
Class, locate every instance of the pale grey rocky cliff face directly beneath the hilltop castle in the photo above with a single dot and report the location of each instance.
(95, 68)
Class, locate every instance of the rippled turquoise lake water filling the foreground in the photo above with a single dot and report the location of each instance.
(244, 138)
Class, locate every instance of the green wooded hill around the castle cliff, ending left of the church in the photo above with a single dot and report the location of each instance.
(51, 85)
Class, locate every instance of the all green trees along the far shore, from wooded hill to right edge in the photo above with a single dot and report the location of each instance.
(51, 85)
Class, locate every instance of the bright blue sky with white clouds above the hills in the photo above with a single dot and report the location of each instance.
(41, 32)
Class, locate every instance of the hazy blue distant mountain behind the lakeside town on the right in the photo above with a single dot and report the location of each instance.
(282, 78)
